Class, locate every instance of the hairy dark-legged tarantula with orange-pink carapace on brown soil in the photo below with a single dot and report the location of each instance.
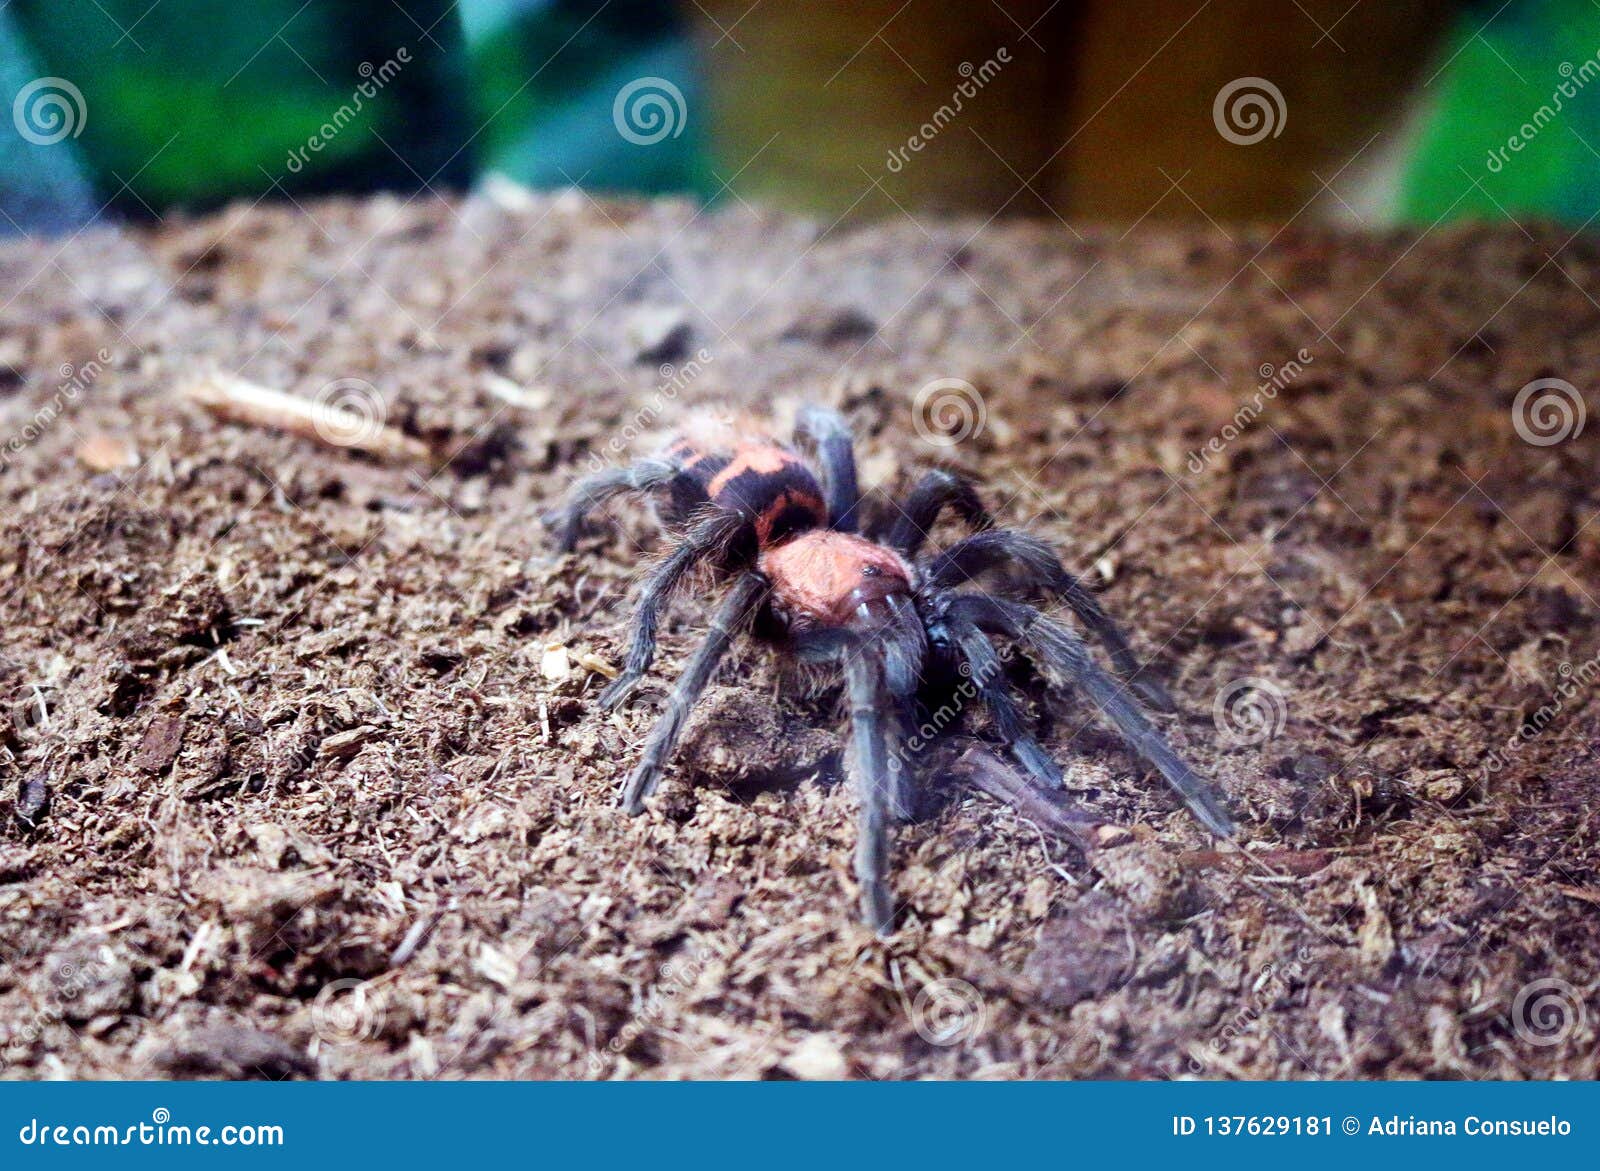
(878, 609)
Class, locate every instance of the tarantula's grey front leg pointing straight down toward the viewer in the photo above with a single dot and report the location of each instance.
(870, 719)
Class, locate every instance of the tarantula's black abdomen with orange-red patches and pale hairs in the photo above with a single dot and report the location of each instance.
(759, 479)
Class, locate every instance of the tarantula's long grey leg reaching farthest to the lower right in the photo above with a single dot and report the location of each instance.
(1065, 655)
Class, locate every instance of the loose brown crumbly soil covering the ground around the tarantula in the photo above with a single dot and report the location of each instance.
(303, 789)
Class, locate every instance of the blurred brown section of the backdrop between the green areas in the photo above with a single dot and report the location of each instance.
(1106, 103)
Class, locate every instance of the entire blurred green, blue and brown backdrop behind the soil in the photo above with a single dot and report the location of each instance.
(1391, 114)
